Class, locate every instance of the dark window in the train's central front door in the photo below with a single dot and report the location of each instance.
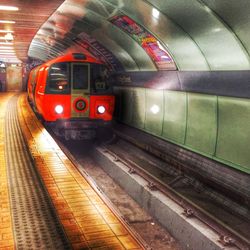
(80, 74)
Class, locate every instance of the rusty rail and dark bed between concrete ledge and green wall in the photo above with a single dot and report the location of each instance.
(196, 199)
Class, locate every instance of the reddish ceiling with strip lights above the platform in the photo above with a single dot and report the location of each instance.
(23, 24)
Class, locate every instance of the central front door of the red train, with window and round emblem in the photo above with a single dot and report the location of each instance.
(80, 90)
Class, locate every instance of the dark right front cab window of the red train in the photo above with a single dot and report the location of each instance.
(99, 79)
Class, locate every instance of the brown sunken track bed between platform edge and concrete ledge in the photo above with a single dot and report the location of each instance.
(143, 226)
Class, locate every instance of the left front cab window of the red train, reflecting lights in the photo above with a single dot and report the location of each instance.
(58, 79)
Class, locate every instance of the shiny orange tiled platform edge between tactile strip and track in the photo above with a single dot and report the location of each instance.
(87, 220)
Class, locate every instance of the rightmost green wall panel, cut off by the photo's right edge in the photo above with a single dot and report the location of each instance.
(234, 131)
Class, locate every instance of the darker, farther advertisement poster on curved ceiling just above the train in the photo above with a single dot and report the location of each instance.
(98, 50)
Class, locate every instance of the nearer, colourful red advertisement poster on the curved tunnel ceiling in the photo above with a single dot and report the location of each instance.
(147, 41)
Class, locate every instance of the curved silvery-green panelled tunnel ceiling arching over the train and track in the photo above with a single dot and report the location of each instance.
(189, 35)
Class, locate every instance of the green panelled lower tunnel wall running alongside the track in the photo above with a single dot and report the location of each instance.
(212, 125)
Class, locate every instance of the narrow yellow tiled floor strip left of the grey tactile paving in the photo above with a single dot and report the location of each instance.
(6, 230)
